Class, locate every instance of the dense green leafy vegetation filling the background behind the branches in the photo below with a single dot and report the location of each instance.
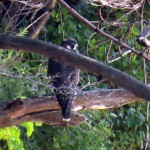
(25, 75)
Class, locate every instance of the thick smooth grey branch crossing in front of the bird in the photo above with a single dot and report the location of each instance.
(62, 55)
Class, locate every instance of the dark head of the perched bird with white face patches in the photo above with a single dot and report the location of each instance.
(70, 44)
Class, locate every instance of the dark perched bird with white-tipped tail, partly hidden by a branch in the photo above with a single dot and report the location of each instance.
(65, 79)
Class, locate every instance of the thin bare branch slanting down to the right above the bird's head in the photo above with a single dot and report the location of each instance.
(98, 31)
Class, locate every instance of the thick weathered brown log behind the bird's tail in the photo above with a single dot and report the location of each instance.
(46, 109)
